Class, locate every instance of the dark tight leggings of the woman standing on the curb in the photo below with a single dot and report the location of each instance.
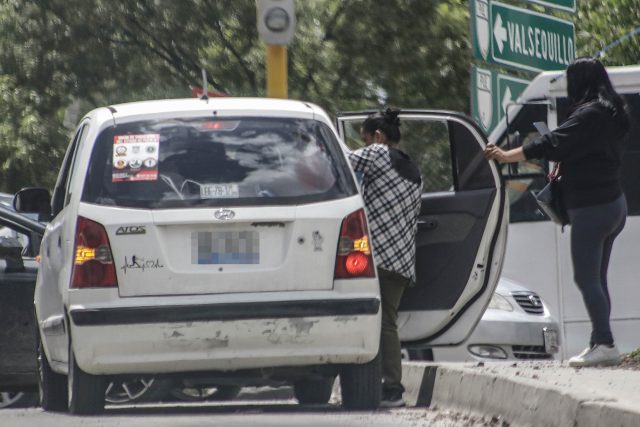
(593, 230)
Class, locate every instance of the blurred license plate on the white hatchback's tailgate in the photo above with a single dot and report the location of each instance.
(225, 247)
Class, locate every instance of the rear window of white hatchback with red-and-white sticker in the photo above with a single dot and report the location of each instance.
(213, 162)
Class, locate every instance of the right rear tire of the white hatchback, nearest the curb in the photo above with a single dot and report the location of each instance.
(362, 385)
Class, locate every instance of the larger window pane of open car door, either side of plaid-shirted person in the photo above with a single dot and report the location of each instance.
(426, 142)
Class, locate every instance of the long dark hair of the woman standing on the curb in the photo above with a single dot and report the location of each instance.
(588, 81)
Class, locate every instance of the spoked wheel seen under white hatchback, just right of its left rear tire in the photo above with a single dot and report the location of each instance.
(148, 389)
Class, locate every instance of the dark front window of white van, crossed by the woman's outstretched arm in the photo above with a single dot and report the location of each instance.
(524, 177)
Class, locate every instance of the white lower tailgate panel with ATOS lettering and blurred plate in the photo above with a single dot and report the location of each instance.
(262, 249)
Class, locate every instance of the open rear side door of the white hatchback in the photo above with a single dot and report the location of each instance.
(462, 227)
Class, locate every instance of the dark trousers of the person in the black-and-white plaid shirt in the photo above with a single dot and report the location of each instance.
(392, 286)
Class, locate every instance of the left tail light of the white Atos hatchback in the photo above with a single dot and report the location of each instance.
(93, 264)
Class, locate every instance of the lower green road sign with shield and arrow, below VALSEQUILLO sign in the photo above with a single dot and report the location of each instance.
(491, 94)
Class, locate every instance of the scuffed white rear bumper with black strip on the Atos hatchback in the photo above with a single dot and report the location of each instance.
(225, 337)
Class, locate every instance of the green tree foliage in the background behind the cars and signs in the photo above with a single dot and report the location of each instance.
(347, 54)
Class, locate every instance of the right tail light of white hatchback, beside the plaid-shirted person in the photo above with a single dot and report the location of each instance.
(354, 259)
